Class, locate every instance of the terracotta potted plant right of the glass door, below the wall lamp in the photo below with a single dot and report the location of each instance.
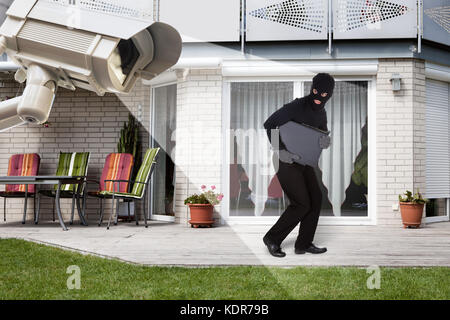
(411, 208)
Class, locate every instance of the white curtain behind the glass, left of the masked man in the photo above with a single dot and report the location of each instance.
(251, 104)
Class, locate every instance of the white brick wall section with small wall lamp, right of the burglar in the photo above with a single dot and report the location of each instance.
(400, 134)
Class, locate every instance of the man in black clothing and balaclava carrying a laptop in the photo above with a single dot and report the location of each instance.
(299, 182)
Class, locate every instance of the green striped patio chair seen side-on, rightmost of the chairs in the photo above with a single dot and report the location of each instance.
(140, 185)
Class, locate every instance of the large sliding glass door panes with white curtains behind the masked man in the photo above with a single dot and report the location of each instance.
(254, 190)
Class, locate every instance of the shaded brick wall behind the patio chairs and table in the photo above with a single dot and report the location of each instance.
(79, 121)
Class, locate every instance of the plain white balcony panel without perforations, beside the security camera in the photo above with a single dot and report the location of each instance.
(203, 20)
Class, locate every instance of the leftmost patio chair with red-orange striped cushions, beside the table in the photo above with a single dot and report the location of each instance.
(21, 165)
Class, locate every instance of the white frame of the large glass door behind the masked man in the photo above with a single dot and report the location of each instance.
(298, 92)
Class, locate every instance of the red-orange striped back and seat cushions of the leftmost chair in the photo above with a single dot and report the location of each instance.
(23, 165)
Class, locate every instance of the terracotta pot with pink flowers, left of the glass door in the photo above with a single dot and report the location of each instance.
(201, 206)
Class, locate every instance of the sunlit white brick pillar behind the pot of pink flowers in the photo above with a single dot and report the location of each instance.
(198, 135)
